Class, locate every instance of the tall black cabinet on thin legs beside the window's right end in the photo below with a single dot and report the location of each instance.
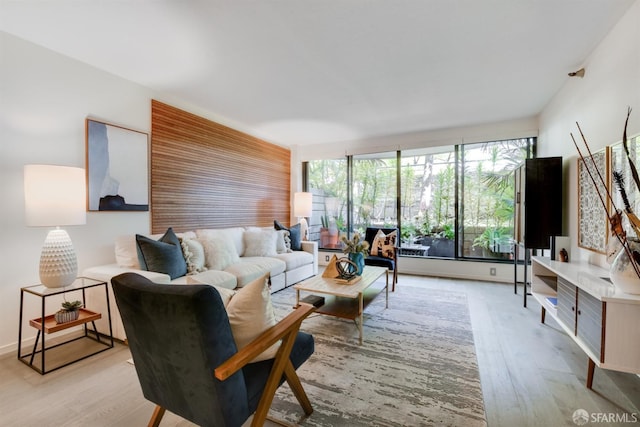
(538, 211)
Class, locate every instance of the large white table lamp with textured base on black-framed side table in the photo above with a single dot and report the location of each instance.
(55, 196)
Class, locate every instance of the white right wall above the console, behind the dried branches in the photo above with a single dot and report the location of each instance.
(598, 102)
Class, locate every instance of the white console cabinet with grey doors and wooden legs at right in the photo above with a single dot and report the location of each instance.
(603, 321)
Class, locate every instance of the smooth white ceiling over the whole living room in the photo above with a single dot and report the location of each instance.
(320, 71)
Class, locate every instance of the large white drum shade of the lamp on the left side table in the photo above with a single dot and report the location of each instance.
(54, 195)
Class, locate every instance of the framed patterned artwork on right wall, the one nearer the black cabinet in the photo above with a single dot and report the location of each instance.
(593, 223)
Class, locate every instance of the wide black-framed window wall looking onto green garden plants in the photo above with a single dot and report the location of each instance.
(448, 201)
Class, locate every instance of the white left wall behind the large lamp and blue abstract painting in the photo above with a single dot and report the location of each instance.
(44, 100)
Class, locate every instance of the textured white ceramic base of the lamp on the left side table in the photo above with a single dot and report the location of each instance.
(58, 263)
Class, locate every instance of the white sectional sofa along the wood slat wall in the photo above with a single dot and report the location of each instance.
(226, 258)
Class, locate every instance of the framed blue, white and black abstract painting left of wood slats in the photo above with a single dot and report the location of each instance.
(117, 168)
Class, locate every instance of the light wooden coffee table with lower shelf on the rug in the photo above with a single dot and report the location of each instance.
(346, 301)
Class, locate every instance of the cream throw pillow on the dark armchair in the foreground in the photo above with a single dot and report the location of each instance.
(251, 313)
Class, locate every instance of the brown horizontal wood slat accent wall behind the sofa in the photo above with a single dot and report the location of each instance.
(206, 175)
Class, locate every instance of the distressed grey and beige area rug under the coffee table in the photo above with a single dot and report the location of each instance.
(416, 367)
